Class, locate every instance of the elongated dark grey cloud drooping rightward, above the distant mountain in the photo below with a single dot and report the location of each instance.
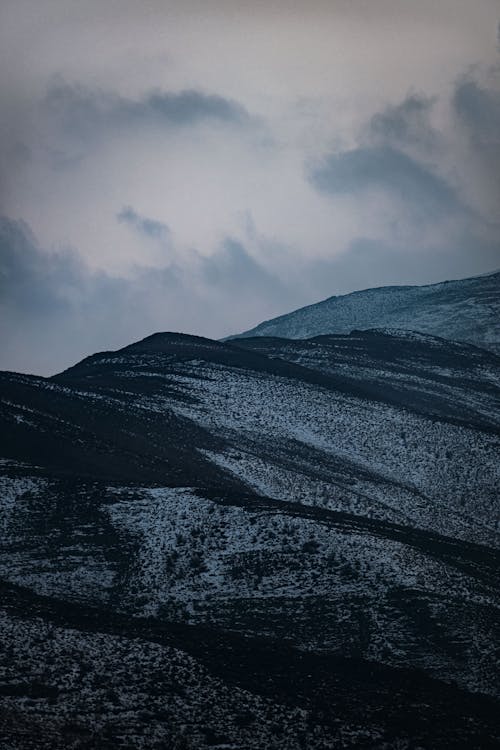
(390, 170)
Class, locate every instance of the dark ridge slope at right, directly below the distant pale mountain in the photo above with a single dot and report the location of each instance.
(429, 375)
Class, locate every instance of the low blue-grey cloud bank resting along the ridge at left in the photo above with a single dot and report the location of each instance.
(54, 309)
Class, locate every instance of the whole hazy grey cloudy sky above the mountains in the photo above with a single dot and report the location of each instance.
(202, 166)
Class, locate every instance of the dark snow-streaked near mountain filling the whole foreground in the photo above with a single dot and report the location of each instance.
(266, 543)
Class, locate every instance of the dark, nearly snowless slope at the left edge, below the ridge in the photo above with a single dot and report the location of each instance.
(97, 433)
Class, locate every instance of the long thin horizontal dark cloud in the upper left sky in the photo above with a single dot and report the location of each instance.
(85, 112)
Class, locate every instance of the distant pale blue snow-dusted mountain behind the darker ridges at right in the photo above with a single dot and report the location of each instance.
(467, 310)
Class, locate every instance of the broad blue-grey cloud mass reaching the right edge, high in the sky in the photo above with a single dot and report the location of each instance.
(427, 170)
